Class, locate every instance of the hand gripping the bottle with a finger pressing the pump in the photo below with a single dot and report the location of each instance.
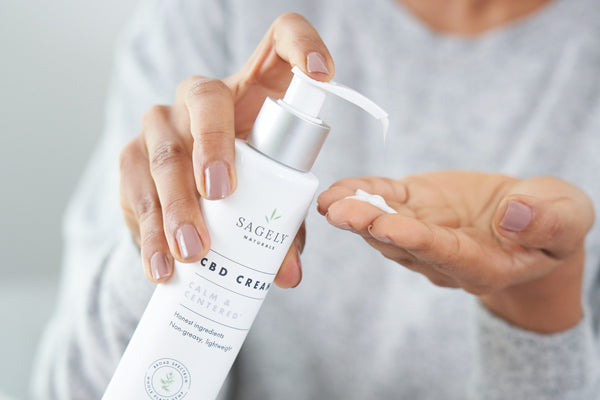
(186, 150)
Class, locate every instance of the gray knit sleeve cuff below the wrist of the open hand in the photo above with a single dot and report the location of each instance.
(515, 364)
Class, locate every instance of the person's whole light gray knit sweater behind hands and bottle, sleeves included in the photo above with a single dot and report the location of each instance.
(523, 99)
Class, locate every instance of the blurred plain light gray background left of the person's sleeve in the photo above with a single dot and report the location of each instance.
(55, 64)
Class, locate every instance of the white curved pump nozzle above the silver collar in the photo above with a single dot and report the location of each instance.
(307, 96)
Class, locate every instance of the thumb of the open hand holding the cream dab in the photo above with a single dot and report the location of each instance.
(547, 214)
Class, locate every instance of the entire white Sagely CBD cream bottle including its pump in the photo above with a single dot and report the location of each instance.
(195, 324)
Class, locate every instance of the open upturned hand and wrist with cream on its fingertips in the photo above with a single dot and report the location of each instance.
(517, 244)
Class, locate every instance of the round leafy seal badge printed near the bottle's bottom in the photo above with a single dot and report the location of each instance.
(167, 379)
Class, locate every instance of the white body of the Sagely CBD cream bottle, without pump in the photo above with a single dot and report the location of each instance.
(195, 324)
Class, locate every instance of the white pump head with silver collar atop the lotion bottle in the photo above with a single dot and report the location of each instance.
(290, 131)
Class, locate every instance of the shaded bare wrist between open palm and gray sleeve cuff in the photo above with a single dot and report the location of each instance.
(549, 304)
